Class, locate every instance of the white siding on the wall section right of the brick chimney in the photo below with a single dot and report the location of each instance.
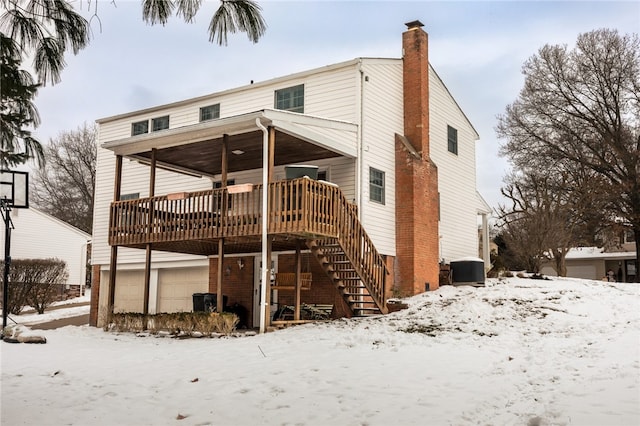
(456, 173)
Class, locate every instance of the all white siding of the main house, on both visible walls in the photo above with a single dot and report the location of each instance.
(331, 92)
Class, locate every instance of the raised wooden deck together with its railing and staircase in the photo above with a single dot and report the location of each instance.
(300, 209)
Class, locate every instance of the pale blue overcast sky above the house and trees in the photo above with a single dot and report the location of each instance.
(477, 48)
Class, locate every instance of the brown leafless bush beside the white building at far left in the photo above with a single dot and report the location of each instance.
(34, 282)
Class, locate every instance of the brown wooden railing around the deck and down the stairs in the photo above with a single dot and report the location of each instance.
(303, 207)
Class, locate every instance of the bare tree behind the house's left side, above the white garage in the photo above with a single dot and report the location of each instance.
(64, 187)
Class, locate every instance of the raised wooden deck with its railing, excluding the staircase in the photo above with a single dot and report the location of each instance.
(193, 222)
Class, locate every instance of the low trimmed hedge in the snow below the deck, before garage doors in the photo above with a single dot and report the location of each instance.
(175, 323)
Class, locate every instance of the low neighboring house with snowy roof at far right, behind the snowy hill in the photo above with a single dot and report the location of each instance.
(593, 263)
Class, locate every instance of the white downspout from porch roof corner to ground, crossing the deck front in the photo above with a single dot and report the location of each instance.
(266, 264)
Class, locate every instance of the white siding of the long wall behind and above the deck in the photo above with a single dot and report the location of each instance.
(328, 94)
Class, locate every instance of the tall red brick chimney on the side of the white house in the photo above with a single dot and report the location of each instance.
(417, 202)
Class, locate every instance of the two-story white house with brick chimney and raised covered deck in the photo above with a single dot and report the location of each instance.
(395, 192)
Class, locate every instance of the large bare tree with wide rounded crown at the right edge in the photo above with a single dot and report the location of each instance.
(582, 106)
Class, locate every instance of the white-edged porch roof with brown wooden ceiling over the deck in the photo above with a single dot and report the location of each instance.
(197, 149)
